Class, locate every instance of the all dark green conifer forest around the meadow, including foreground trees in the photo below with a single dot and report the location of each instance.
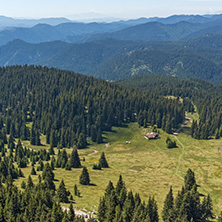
(70, 110)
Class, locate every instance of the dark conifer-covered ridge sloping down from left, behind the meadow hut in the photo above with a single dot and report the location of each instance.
(68, 107)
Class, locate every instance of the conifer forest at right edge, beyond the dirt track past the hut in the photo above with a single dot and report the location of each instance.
(204, 95)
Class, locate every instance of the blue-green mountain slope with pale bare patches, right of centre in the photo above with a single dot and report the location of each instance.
(179, 63)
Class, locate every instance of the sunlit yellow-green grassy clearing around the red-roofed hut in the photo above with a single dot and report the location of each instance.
(147, 166)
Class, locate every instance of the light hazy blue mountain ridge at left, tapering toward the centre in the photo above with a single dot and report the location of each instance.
(45, 33)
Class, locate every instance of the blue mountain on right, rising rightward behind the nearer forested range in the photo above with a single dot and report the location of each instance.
(156, 31)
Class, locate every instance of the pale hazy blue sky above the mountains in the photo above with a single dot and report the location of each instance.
(106, 8)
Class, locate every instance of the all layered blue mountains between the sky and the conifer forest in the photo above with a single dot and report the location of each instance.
(181, 45)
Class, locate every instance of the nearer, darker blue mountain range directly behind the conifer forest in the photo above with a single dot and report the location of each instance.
(112, 59)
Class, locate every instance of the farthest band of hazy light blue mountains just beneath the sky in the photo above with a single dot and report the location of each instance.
(143, 29)
